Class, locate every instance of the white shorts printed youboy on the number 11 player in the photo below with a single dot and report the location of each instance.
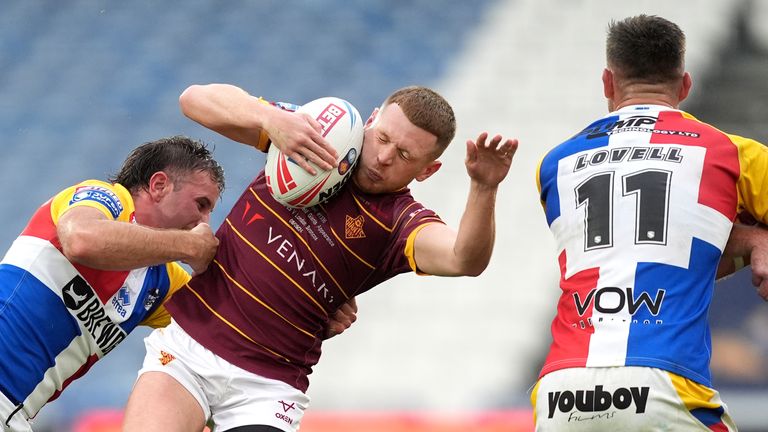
(625, 399)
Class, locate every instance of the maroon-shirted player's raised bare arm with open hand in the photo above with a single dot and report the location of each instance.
(441, 250)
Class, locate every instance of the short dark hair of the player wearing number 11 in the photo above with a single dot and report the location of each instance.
(646, 48)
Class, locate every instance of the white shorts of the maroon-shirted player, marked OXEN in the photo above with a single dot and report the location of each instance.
(228, 394)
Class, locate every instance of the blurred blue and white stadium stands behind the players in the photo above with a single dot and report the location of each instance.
(82, 82)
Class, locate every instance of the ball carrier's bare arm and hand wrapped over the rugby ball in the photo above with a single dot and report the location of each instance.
(232, 112)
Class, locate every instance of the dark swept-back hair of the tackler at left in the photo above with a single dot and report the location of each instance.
(177, 156)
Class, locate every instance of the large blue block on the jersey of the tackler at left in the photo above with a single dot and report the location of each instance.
(28, 304)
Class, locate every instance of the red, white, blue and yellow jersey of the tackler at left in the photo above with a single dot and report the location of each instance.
(57, 318)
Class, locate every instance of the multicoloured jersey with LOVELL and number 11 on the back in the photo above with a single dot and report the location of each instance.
(641, 204)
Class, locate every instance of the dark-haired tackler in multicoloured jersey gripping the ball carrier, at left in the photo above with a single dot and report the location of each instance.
(93, 263)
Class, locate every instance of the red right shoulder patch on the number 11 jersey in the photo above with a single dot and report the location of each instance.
(721, 162)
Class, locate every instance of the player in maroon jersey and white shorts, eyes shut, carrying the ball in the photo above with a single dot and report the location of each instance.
(247, 332)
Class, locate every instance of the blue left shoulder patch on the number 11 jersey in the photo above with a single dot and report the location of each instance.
(593, 136)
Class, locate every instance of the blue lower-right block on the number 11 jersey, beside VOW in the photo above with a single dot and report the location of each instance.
(684, 313)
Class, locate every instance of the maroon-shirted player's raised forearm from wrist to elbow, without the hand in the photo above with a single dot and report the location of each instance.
(477, 230)
